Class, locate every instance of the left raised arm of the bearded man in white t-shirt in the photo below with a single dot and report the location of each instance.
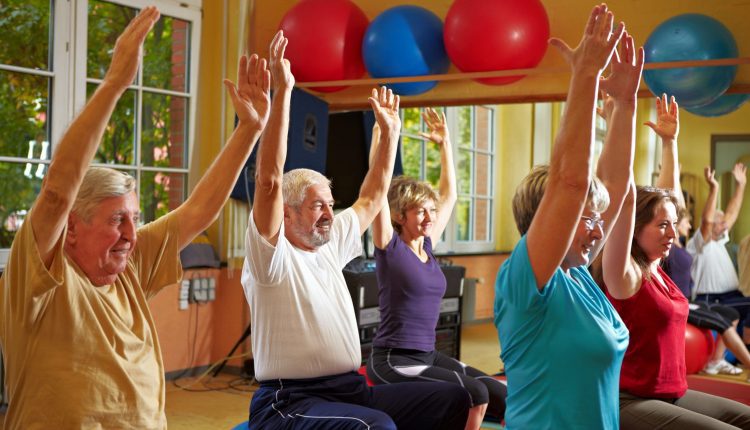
(268, 206)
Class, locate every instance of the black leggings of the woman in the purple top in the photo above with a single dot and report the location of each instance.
(392, 365)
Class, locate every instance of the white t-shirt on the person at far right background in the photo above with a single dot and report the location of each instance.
(712, 269)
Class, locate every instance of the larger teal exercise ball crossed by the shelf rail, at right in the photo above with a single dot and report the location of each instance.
(684, 38)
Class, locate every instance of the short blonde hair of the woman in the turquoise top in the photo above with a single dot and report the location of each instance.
(530, 191)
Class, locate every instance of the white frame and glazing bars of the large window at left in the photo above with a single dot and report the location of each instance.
(69, 49)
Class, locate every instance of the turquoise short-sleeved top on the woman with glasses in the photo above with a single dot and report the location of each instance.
(562, 348)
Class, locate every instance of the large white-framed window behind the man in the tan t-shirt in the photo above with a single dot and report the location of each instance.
(53, 56)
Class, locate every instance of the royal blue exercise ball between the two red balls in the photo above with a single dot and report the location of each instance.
(405, 41)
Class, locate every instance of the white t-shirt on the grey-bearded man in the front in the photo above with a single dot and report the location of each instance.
(302, 317)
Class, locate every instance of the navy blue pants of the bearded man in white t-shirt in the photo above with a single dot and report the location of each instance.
(344, 402)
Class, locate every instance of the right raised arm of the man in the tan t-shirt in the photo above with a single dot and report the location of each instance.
(251, 100)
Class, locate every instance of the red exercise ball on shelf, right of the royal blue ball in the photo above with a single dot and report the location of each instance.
(489, 35)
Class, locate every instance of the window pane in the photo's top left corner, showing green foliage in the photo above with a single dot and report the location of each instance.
(25, 26)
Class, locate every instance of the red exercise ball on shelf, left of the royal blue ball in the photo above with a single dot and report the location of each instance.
(325, 41)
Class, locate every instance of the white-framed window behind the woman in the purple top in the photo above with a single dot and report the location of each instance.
(472, 134)
